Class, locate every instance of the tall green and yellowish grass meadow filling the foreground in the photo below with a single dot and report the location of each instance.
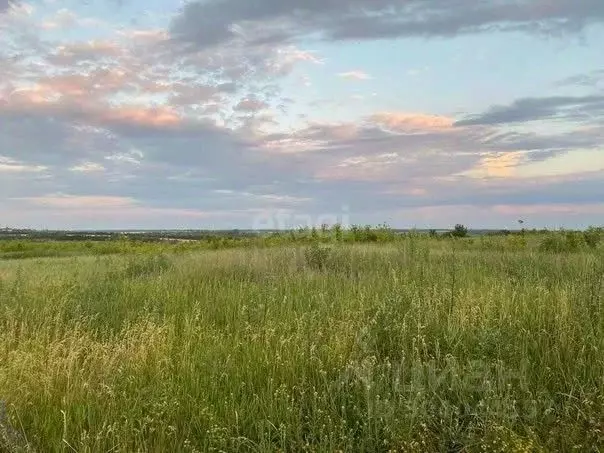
(420, 344)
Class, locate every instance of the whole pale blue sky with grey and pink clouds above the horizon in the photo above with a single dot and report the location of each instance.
(120, 114)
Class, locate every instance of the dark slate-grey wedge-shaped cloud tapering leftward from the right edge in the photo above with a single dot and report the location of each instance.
(573, 108)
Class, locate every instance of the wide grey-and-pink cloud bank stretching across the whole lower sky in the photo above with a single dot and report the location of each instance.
(381, 161)
